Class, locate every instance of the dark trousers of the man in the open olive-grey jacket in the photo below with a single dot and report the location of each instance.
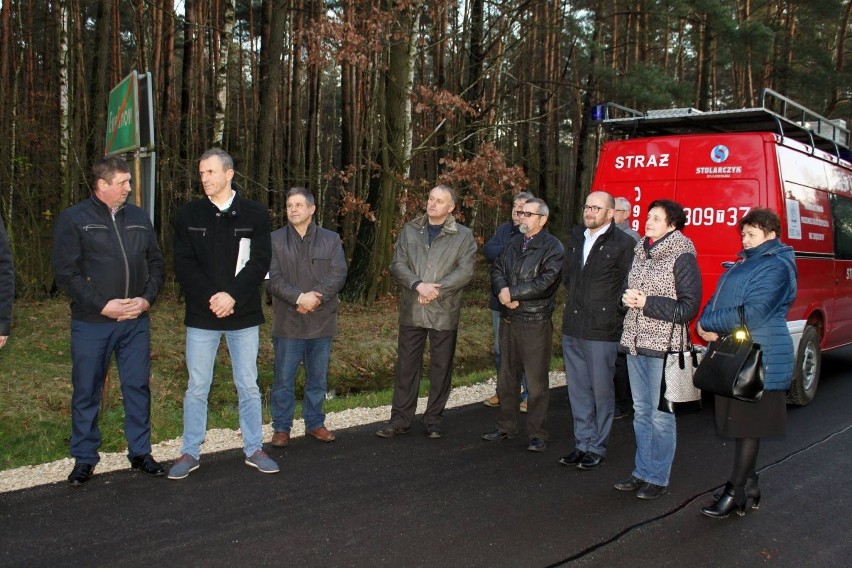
(410, 347)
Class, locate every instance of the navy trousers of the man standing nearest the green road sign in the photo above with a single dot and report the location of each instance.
(92, 346)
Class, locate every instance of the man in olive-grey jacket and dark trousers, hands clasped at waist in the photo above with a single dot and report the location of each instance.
(433, 261)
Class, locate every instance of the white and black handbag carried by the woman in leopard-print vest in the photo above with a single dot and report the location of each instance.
(676, 387)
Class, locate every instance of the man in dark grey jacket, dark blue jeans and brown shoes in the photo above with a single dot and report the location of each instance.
(307, 272)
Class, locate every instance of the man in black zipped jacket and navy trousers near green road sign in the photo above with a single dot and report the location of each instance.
(106, 258)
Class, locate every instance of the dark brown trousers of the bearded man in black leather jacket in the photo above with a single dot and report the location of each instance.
(525, 347)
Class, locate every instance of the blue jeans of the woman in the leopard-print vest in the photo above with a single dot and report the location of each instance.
(656, 432)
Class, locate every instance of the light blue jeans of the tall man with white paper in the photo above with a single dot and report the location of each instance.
(201, 348)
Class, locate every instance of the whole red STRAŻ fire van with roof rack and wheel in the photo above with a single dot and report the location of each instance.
(720, 164)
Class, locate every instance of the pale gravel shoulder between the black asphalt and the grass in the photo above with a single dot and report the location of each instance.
(224, 439)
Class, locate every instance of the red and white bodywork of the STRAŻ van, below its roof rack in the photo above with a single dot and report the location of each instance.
(718, 178)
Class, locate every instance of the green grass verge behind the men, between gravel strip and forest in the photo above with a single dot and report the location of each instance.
(35, 374)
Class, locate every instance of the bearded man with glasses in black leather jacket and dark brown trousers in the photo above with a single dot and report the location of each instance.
(525, 278)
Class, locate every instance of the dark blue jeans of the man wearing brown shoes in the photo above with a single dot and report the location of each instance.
(289, 354)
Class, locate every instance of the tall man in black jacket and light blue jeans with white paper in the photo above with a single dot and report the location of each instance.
(222, 252)
